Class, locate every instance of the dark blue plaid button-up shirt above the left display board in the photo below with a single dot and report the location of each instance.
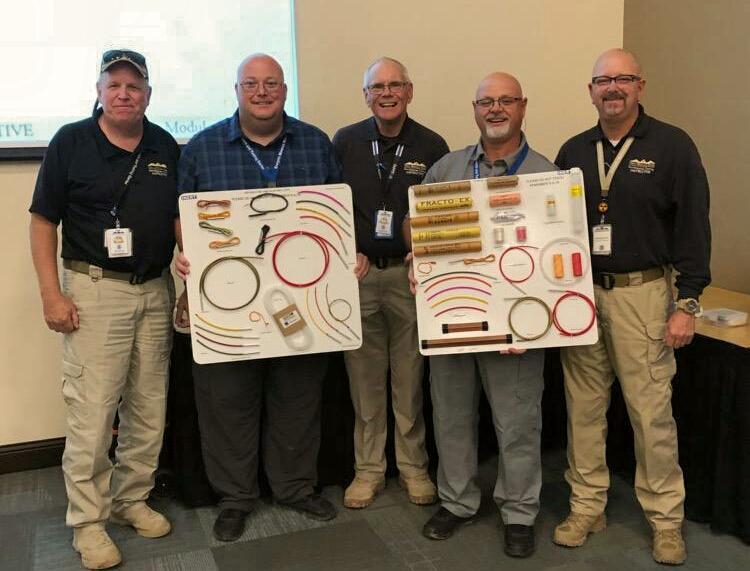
(216, 158)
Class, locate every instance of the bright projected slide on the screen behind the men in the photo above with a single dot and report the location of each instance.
(50, 53)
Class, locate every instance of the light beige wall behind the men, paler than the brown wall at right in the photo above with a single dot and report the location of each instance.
(549, 45)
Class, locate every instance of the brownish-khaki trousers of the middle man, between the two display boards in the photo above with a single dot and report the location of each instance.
(389, 340)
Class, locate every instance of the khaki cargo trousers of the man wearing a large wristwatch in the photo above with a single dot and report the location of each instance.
(631, 347)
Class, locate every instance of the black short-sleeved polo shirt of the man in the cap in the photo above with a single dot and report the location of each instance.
(80, 177)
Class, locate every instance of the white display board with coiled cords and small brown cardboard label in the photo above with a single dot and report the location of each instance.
(271, 272)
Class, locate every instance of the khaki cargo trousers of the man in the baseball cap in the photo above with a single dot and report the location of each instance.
(117, 361)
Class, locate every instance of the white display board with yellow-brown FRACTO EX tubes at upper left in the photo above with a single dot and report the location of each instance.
(502, 263)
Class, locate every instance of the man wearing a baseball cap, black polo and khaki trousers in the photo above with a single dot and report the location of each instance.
(110, 180)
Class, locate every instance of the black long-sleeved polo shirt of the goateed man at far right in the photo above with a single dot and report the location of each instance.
(658, 201)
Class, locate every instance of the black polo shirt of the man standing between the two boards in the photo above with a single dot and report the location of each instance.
(353, 144)
